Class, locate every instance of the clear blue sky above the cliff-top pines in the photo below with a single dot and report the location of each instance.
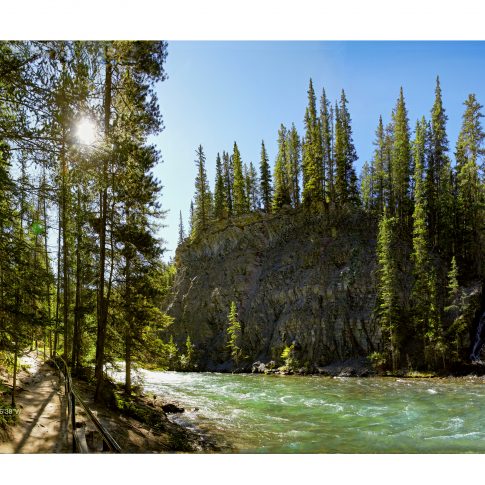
(221, 92)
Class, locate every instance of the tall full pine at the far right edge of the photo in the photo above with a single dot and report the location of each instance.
(470, 194)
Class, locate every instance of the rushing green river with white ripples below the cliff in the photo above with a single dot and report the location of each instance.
(287, 414)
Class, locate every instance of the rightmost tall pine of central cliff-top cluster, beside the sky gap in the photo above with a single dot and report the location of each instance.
(345, 156)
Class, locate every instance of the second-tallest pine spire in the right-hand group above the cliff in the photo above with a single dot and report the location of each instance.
(401, 164)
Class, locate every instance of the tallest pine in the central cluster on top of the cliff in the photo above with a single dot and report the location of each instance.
(312, 162)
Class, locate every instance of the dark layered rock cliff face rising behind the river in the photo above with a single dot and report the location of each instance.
(295, 277)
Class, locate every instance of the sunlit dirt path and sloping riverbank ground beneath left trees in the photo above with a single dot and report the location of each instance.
(42, 424)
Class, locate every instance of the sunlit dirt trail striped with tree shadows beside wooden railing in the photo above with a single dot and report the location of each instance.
(41, 426)
